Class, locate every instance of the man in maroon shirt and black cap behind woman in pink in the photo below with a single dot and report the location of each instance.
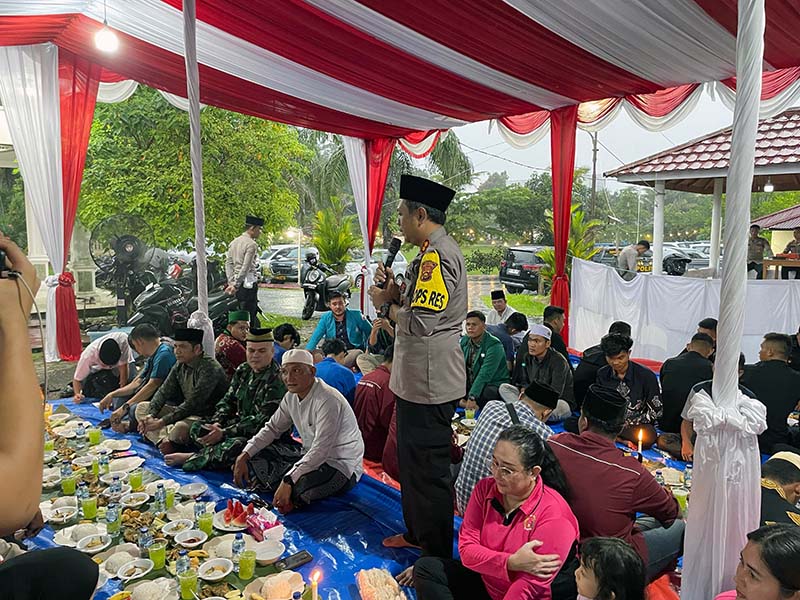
(608, 488)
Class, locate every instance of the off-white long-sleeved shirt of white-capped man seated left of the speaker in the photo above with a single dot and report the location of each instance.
(327, 426)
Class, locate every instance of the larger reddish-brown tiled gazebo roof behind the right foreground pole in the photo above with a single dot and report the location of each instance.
(693, 166)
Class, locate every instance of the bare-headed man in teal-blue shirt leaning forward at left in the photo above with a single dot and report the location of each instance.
(160, 359)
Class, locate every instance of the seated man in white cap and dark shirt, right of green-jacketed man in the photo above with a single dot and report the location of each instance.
(537, 361)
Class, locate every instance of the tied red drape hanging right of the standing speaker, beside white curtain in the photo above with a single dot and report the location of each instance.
(563, 124)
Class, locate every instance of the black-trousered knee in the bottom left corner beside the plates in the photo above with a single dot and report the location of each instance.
(64, 573)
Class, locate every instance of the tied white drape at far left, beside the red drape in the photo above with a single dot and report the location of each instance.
(30, 95)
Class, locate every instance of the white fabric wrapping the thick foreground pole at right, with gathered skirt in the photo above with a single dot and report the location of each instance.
(728, 474)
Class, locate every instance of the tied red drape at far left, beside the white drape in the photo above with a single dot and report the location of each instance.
(78, 80)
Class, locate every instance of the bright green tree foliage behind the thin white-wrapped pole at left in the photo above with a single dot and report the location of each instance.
(138, 162)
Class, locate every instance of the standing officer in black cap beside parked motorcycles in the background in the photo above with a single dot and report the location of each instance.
(241, 268)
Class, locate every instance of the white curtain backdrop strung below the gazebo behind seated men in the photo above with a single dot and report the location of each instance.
(600, 297)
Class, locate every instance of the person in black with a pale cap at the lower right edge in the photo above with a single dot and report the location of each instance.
(780, 489)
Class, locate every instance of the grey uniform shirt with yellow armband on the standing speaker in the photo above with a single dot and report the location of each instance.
(428, 363)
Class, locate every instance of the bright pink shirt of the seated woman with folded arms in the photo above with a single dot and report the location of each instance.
(485, 542)
